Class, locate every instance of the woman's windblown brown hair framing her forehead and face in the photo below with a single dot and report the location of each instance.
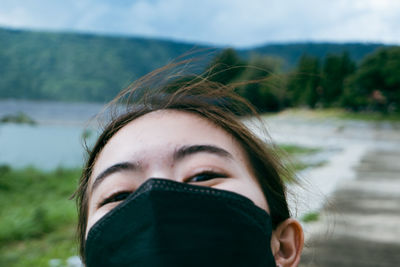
(213, 101)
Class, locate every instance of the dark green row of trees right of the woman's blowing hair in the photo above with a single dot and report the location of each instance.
(334, 81)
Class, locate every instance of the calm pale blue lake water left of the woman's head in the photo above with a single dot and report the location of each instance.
(56, 141)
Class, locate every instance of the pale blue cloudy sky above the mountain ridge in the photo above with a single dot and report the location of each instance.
(239, 23)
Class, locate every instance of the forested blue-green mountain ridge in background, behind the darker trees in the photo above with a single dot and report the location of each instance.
(89, 67)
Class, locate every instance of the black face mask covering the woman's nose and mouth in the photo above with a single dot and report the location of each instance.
(167, 223)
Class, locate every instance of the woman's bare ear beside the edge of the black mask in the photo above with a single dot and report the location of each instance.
(287, 243)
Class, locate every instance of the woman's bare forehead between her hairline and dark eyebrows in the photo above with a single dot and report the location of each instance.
(153, 135)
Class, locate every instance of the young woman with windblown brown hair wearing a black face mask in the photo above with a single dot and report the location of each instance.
(178, 180)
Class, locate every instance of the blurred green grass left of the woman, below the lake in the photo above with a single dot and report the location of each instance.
(37, 220)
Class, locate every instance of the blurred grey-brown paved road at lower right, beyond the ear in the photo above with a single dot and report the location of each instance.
(360, 226)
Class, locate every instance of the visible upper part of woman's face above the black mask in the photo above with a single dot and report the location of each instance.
(173, 145)
